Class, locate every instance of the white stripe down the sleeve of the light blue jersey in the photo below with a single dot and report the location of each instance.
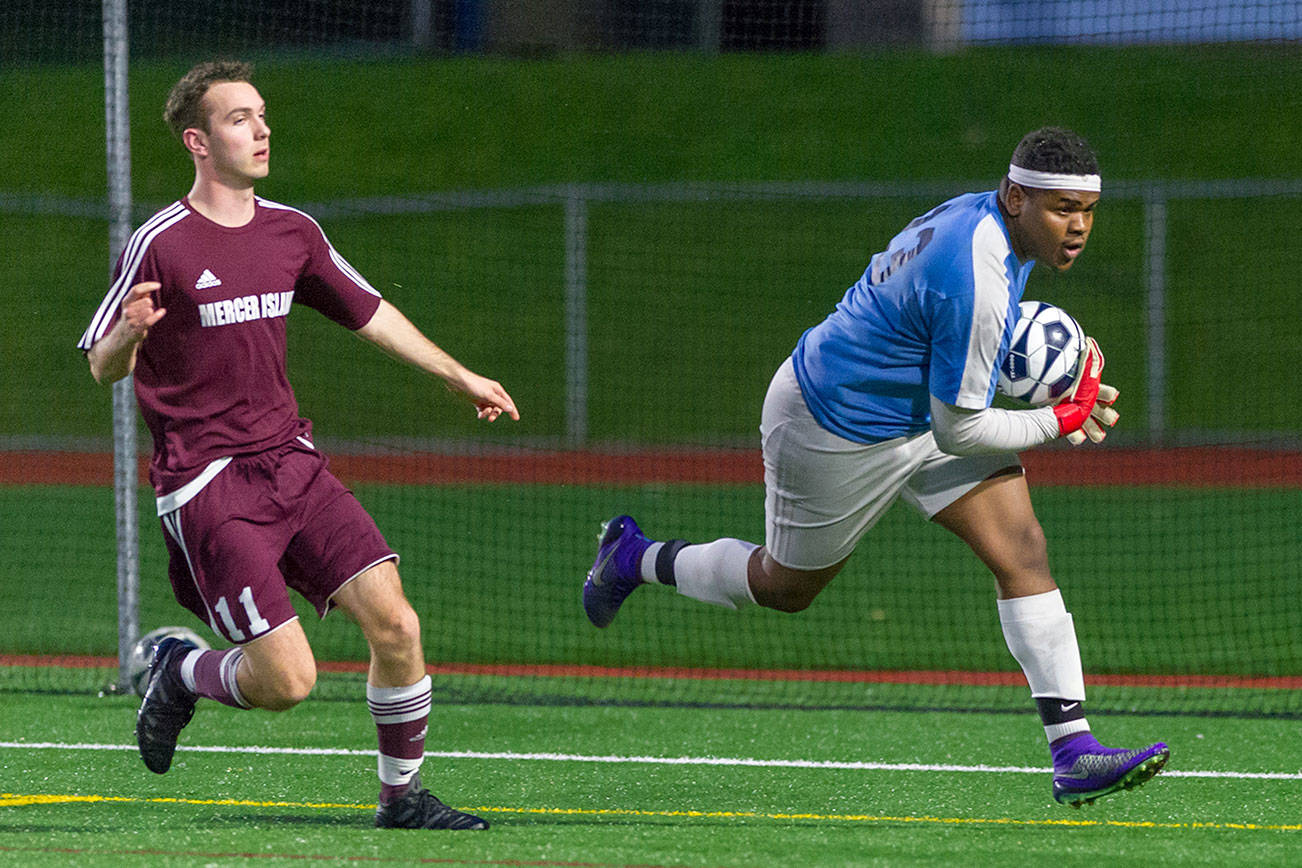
(990, 312)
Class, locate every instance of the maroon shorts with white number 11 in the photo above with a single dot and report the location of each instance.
(266, 524)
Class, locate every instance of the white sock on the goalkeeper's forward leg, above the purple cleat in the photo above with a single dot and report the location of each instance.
(1041, 636)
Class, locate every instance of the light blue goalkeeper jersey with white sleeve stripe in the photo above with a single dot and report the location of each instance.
(933, 316)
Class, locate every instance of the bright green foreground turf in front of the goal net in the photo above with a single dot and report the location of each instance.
(635, 787)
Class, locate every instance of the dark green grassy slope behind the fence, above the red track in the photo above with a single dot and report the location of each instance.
(691, 306)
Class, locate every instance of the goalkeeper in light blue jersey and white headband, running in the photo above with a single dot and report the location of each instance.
(891, 398)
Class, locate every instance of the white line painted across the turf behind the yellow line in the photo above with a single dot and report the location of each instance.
(644, 761)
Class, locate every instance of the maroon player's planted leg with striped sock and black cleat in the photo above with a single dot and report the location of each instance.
(398, 693)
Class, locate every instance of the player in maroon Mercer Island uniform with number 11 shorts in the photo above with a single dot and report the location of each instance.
(197, 313)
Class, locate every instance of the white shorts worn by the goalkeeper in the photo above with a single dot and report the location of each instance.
(824, 493)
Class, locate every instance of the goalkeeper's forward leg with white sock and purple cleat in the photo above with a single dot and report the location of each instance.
(997, 520)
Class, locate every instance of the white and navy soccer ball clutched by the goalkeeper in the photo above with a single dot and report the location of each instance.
(1044, 359)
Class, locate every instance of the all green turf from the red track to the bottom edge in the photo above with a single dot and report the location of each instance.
(620, 771)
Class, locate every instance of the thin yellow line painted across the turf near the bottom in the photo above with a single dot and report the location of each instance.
(14, 800)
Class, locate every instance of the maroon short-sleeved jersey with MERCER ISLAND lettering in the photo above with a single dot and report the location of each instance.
(210, 377)
